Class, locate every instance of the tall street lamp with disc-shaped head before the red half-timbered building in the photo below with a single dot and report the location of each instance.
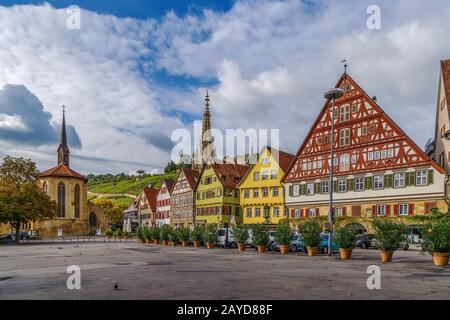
(332, 94)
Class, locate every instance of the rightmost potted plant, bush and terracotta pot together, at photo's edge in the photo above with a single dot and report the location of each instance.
(436, 235)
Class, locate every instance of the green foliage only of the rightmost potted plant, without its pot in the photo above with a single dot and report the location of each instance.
(436, 235)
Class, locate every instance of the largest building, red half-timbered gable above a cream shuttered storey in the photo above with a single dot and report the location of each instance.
(378, 170)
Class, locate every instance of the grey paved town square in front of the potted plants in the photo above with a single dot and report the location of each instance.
(156, 272)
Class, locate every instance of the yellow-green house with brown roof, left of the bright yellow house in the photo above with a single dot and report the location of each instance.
(217, 195)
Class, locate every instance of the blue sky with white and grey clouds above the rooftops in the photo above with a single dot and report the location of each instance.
(136, 71)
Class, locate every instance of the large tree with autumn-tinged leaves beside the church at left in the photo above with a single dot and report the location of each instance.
(21, 198)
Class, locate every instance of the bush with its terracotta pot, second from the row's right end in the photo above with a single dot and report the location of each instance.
(389, 234)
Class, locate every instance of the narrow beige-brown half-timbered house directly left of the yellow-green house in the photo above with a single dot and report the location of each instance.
(182, 198)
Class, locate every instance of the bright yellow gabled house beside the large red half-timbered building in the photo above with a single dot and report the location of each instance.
(261, 192)
